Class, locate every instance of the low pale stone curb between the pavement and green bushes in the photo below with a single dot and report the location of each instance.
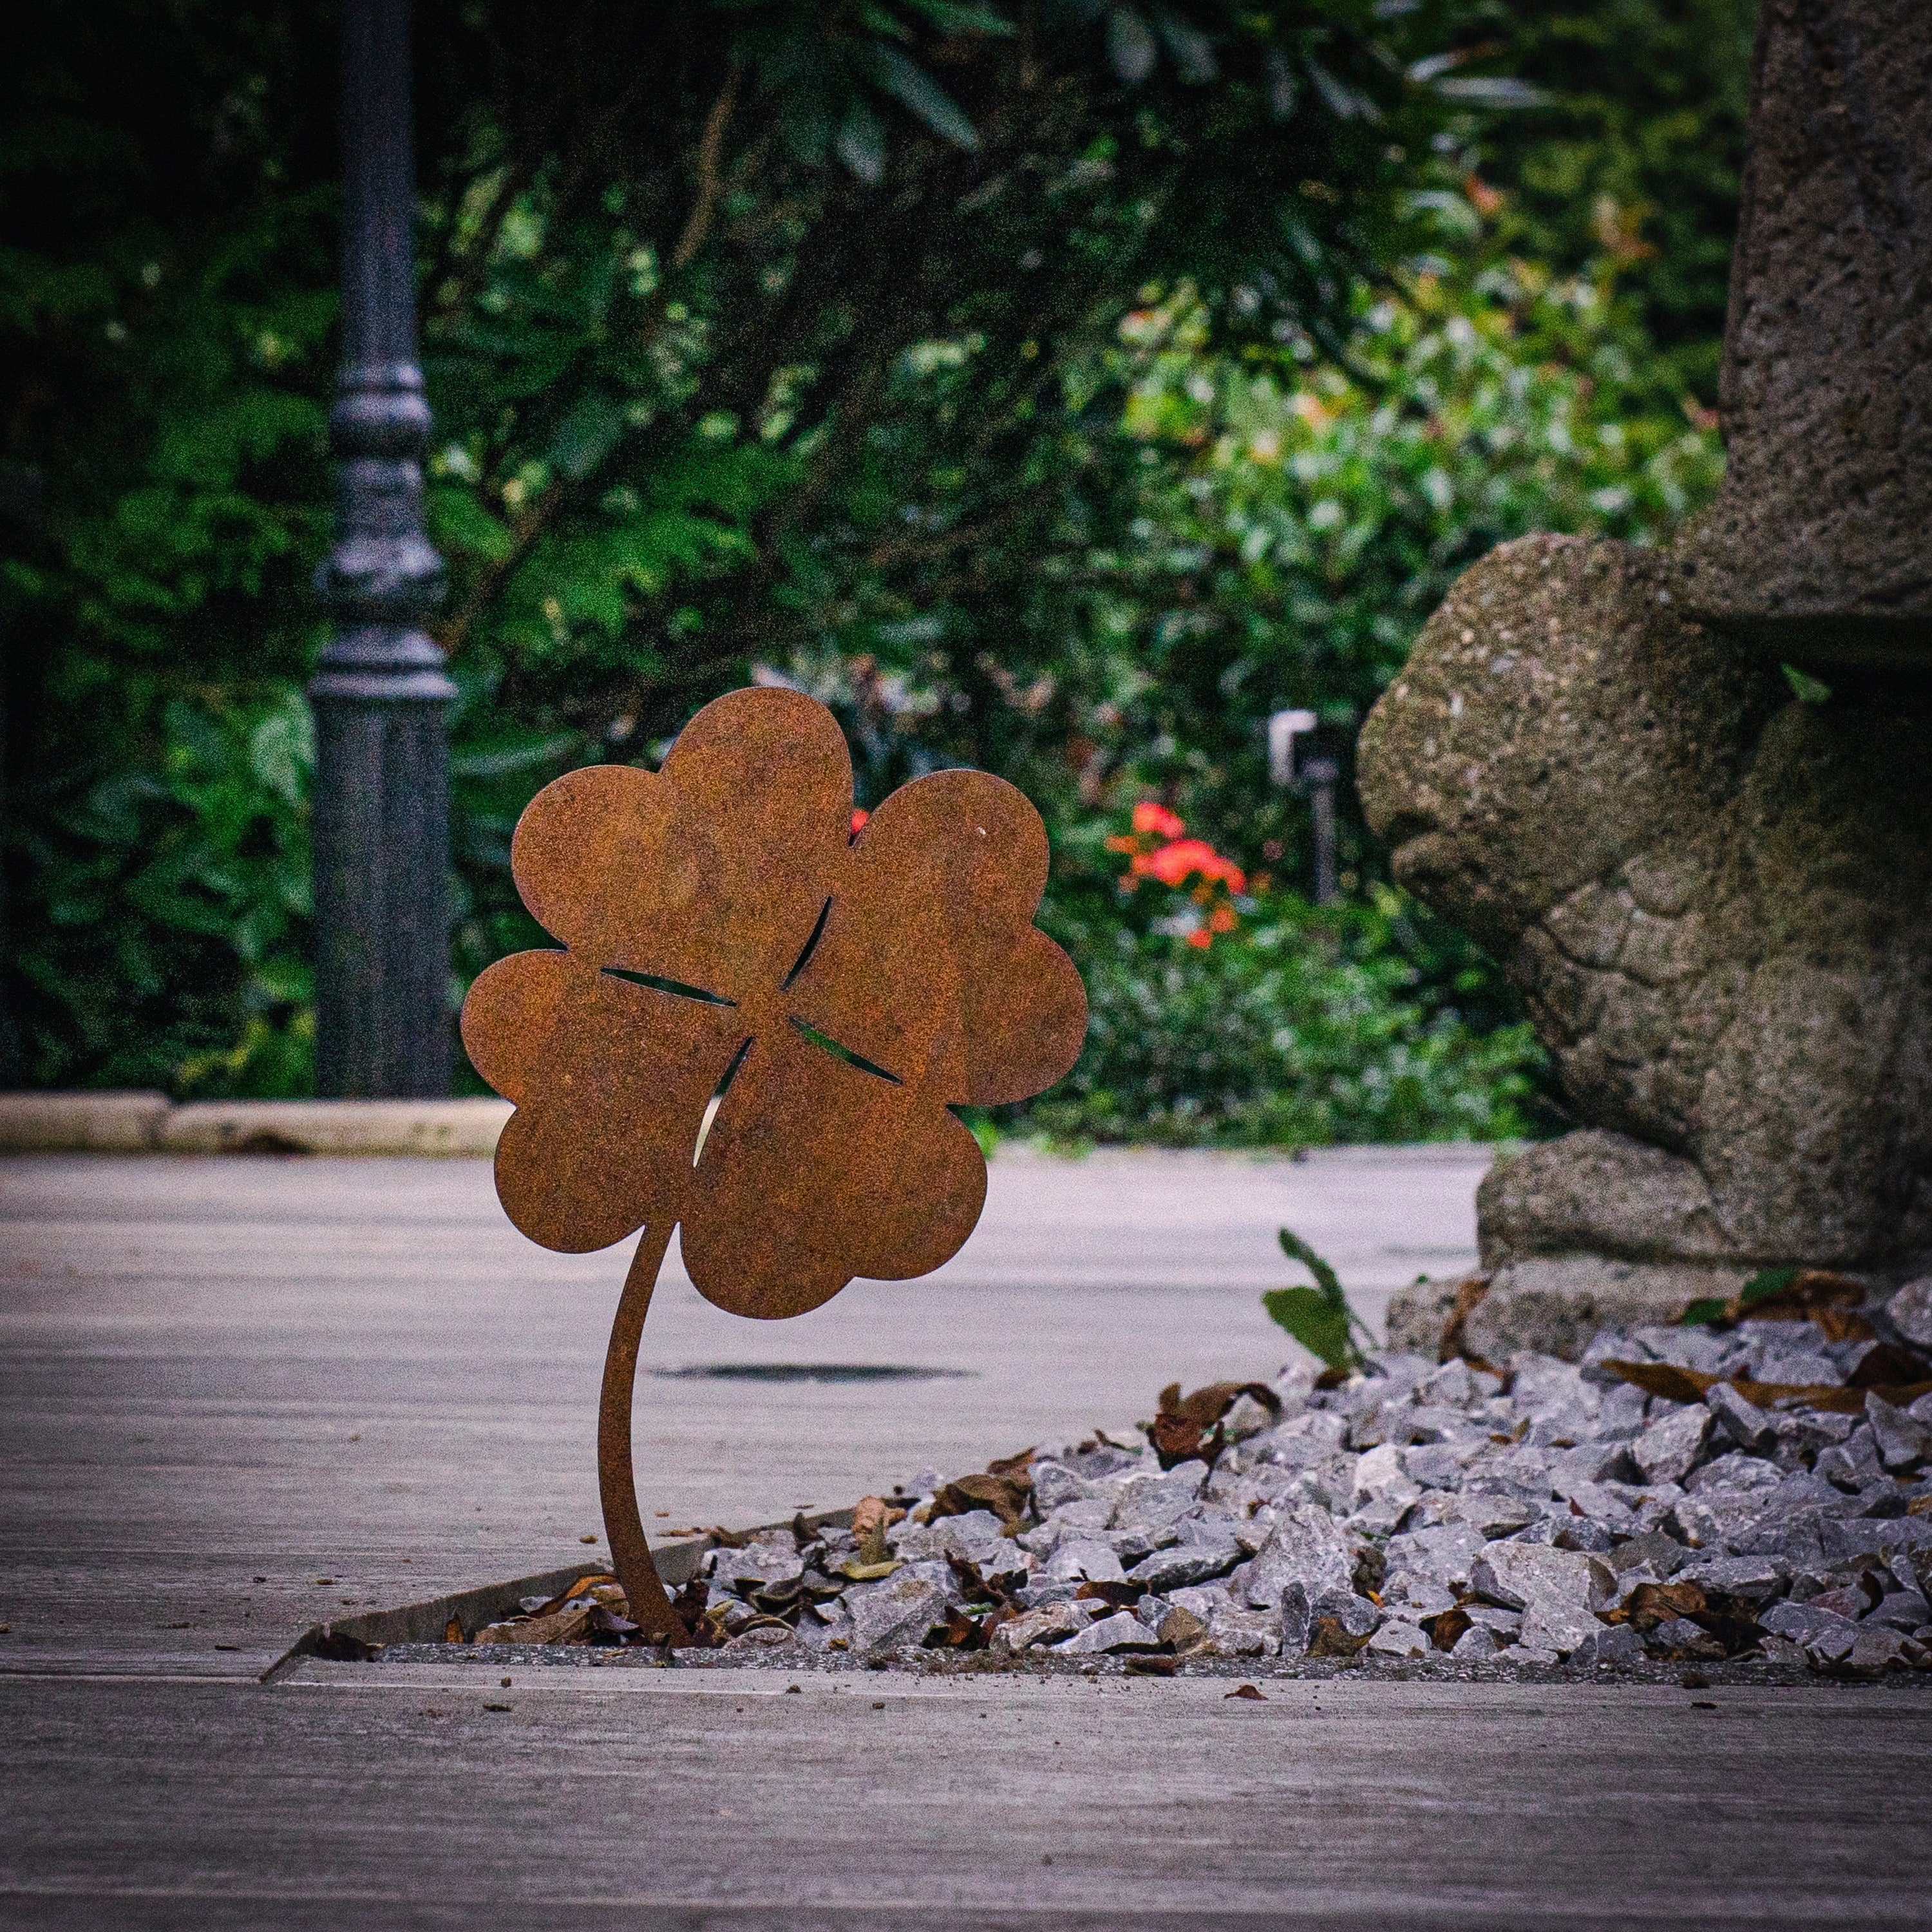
(152, 1123)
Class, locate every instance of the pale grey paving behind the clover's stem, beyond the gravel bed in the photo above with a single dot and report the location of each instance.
(223, 1369)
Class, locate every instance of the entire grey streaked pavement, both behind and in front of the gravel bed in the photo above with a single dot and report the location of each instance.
(239, 1396)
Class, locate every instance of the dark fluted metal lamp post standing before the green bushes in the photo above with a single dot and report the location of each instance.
(380, 689)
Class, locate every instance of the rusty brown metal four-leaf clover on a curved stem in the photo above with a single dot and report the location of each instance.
(758, 1025)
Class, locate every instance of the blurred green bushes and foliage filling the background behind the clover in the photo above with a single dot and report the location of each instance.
(1050, 389)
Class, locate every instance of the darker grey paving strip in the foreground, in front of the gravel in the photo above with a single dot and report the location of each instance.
(393, 1798)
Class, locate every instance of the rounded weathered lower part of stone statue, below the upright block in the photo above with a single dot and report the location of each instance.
(1719, 907)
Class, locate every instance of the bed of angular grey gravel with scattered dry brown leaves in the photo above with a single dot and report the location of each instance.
(1417, 1520)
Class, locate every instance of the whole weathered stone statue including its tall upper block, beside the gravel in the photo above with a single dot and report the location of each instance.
(1715, 897)
